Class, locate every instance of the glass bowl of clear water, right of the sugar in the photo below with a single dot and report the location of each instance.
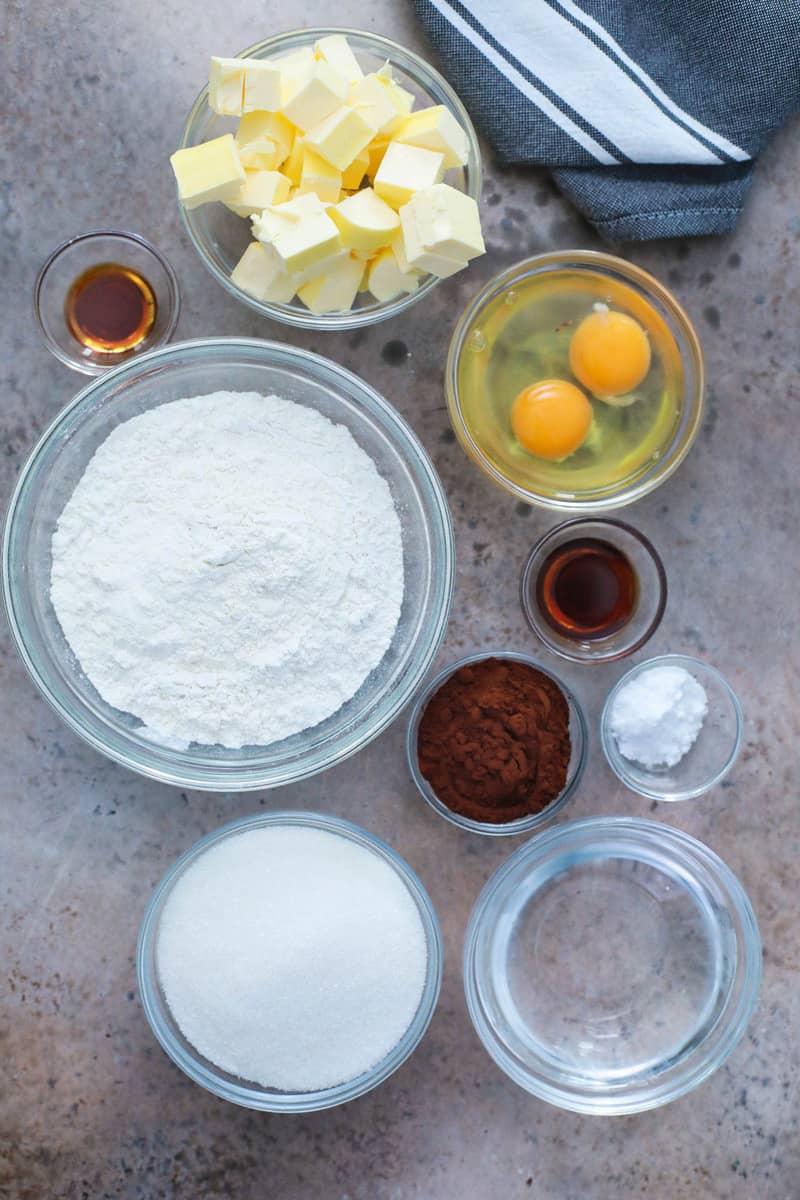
(611, 965)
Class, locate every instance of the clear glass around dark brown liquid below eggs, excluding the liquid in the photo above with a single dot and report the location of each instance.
(651, 603)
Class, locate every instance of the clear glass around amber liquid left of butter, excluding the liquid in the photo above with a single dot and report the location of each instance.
(79, 255)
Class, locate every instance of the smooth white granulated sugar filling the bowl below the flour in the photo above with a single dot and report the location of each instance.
(292, 958)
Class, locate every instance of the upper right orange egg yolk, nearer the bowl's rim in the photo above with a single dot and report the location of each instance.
(610, 353)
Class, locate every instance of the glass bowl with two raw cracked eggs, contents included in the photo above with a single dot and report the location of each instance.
(575, 382)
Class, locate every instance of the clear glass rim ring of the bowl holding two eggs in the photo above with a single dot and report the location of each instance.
(468, 339)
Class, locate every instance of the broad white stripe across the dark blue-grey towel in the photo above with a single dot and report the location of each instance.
(581, 73)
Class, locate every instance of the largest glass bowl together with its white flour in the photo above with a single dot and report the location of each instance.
(230, 565)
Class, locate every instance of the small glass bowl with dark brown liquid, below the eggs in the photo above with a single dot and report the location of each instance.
(594, 591)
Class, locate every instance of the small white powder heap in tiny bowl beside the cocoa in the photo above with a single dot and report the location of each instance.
(658, 716)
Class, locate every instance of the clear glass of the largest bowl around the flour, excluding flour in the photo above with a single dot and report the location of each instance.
(193, 369)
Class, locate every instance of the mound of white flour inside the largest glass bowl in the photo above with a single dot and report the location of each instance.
(230, 569)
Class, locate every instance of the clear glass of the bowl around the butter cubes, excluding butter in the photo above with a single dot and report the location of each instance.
(221, 238)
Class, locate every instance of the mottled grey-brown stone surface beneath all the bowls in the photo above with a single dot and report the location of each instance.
(89, 1106)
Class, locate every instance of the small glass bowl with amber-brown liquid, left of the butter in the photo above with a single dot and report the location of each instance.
(104, 298)
